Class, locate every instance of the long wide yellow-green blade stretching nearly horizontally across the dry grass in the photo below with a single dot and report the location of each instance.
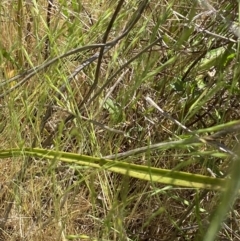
(147, 173)
